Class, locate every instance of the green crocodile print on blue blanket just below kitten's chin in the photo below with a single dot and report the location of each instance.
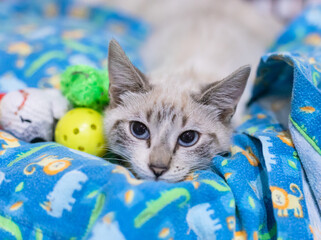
(154, 206)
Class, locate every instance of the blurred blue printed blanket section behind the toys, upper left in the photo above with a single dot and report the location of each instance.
(40, 39)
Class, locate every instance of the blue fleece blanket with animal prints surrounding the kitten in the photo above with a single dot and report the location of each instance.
(260, 191)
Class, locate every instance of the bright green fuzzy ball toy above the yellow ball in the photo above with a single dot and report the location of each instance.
(85, 86)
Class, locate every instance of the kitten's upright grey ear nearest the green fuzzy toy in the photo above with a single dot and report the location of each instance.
(124, 77)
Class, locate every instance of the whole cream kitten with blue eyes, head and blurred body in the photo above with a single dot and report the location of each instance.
(177, 118)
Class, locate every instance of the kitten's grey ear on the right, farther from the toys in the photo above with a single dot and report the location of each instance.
(224, 95)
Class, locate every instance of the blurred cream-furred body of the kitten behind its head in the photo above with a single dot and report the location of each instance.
(212, 37)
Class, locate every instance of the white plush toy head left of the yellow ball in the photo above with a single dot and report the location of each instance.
(31, 114)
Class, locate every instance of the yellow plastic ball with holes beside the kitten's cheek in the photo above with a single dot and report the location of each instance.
(82, 129)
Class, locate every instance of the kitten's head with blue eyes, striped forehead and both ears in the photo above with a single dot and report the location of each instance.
(166, 132)
